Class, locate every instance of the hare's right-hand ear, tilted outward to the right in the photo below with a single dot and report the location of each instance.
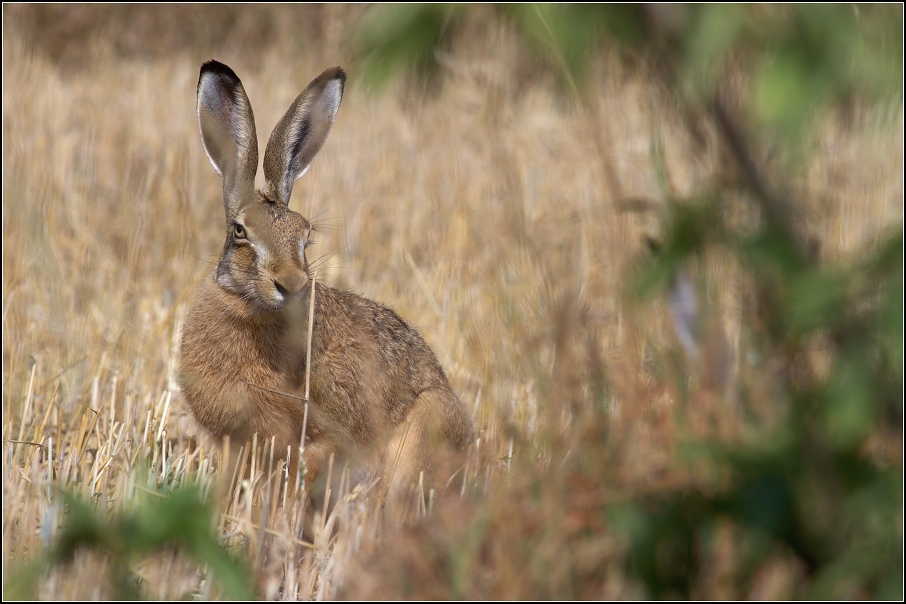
(301, 133)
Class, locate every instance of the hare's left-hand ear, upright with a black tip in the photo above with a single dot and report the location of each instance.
(228, 132)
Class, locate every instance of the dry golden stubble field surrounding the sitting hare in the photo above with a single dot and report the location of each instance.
(490, 212)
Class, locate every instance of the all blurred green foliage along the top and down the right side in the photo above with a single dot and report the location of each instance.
(809, 487)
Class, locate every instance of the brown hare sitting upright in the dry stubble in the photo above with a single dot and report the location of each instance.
(377, 392)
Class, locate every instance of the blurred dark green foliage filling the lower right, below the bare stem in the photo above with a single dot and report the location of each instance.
(812, 490)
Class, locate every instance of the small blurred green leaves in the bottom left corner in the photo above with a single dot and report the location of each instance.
(179, 520)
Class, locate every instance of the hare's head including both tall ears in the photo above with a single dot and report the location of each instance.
(263, 258)
